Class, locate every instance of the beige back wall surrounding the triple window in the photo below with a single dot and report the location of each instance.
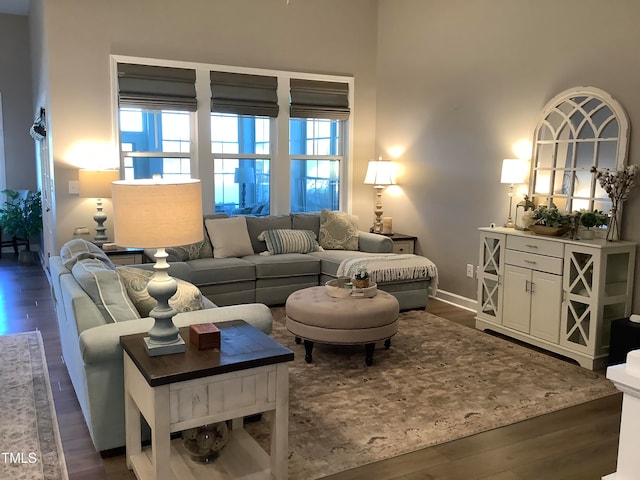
(332, 37)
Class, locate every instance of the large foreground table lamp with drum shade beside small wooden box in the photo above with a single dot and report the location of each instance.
(157, 213)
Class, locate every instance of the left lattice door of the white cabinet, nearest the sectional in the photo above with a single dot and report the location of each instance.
(490, 274)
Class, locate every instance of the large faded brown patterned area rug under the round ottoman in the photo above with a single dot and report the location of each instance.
(439, 381)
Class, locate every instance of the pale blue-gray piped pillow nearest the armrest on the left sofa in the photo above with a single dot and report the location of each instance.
(106, 290)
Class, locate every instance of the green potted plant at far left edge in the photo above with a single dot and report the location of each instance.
(21, 216)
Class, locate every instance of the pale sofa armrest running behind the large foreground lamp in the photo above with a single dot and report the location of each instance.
(102, 343)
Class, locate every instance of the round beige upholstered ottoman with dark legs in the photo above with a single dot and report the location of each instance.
(314, 316)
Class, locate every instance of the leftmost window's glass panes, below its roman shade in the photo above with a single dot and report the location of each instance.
(145, 133)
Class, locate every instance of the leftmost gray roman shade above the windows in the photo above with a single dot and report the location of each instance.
(156, 88)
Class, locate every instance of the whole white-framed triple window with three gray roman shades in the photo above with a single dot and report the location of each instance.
(241, 157)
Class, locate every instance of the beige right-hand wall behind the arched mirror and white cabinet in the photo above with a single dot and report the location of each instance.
(459, 82)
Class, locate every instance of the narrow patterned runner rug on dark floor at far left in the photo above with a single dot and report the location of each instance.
(30, 447)
